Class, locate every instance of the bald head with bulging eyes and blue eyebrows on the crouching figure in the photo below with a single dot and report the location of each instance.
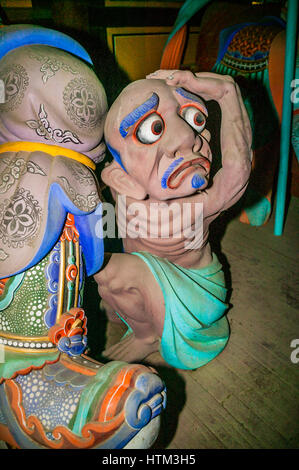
(157, 134)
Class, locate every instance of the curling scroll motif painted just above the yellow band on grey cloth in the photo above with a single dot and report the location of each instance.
(43, 129)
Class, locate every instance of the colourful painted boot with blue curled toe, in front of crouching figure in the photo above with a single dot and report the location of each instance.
(77, 403)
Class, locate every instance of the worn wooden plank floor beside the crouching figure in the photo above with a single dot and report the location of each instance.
(247, 398)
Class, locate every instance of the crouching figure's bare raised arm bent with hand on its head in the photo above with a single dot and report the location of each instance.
(231, 180)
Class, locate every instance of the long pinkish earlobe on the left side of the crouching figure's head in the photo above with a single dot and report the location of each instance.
(115, 177)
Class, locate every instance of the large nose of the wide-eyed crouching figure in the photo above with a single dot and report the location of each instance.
(179, 138)
